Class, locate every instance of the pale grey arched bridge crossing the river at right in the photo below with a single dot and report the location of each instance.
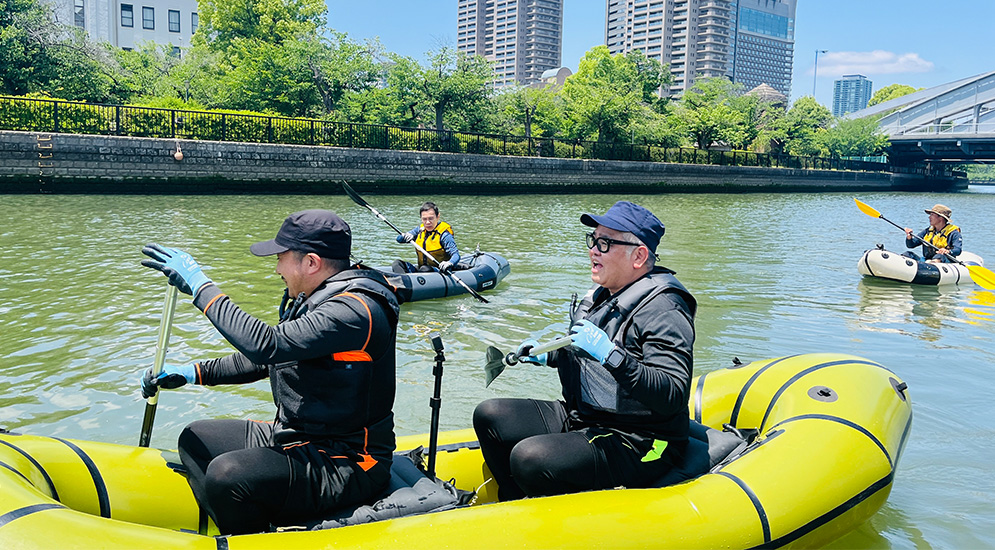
(951, 123)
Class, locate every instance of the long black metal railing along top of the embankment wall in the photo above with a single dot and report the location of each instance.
(45, 115)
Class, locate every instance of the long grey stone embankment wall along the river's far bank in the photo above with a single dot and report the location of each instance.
(68, 163)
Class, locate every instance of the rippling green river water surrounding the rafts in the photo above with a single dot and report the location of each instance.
(774, 274)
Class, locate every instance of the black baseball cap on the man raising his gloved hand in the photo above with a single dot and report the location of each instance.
(319, 231)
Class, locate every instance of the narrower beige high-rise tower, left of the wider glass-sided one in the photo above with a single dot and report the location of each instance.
(524, 38)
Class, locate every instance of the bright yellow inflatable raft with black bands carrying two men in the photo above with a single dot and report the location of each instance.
(831, 430)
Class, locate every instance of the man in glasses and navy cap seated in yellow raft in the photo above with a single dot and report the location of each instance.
(623, 420)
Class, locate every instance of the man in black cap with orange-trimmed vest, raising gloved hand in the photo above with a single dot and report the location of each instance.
(330, 362)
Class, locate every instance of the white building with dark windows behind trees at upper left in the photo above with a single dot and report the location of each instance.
(127, 23)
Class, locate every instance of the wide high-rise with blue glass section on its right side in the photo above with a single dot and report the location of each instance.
(747, 41)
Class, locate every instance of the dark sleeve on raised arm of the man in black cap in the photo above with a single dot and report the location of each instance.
(342, 323)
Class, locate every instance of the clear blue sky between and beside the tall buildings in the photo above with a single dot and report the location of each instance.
(916, 42)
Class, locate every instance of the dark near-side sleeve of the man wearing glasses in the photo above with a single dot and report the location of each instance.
(661, 378)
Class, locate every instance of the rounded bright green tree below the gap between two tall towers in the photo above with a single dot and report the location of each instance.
(603, 96)
